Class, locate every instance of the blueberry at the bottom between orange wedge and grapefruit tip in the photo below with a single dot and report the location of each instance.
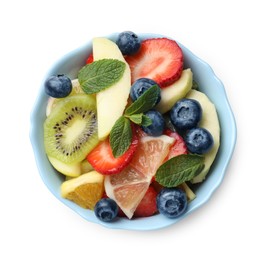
(106, 209)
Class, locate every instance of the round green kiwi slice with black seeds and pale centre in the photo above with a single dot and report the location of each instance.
(70, 131)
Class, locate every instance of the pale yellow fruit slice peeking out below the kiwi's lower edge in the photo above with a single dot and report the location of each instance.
(71, 170)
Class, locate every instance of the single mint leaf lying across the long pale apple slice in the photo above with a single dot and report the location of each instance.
(100, 75)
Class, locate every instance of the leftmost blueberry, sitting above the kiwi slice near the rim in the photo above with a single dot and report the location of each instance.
(58, 86)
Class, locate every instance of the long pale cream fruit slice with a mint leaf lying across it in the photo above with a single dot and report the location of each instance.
(112, 101)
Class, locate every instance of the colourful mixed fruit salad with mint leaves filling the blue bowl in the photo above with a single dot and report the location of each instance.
(132, 133)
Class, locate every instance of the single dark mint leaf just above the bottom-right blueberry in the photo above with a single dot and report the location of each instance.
(179, 169)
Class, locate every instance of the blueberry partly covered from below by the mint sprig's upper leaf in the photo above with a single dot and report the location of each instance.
(140, 86)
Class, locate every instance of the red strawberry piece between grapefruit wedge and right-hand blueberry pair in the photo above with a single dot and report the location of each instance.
(179, 146)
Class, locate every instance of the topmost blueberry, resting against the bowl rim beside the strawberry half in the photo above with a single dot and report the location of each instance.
(128, 43)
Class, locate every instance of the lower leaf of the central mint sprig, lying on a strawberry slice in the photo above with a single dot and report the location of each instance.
(120, 136)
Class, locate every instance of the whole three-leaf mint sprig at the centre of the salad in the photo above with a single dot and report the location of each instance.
(121, 133)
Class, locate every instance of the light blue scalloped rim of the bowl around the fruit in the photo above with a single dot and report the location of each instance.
(141, 224)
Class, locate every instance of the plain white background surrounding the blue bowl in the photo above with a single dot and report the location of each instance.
(229, 35)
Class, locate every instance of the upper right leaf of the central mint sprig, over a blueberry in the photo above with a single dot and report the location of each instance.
(145, 102)
